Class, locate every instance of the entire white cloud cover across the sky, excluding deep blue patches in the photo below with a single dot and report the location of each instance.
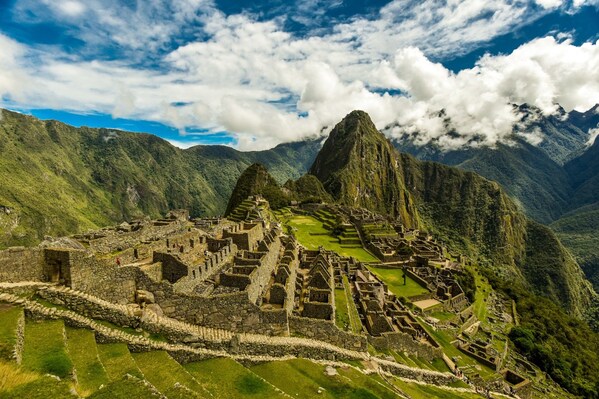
(265, 86)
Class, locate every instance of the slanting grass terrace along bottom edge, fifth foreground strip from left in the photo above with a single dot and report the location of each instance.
(164, 373)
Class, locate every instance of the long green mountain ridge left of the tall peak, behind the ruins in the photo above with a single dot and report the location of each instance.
(57, 179)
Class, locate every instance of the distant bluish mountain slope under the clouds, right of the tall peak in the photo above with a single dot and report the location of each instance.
(533, 175)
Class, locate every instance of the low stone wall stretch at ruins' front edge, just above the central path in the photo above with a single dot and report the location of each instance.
(326, 331)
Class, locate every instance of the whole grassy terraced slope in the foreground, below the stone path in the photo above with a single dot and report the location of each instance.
(48, 358)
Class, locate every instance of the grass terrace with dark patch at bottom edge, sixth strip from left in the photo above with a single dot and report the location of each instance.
(225, 378)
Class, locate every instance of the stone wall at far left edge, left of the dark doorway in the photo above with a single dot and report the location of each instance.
(22, 264)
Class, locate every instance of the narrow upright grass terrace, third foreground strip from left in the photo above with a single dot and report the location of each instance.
(84, 354)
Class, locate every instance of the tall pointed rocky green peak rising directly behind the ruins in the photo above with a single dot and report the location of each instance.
(357, 167)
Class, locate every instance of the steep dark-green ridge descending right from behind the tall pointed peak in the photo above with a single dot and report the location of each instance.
(476, 215)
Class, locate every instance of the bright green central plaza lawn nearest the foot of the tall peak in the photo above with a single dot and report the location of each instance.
(311, 234)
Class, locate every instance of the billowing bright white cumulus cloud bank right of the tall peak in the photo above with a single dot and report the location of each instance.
(476, 102)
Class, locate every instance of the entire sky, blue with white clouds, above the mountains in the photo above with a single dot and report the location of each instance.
(255, 74)
